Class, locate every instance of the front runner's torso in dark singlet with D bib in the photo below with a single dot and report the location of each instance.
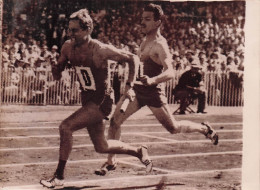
(93, 80)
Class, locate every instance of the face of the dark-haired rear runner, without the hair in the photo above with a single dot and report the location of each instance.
(148, 24)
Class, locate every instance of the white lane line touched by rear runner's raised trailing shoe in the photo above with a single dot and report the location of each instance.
(136, 143)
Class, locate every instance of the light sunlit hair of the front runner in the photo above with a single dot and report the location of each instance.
(85, 21)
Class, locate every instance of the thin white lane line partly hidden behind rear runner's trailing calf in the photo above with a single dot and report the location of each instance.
(124, 125)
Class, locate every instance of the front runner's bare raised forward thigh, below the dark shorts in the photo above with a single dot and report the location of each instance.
(86, 116)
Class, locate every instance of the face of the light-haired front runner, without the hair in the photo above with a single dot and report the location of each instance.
(76, 32)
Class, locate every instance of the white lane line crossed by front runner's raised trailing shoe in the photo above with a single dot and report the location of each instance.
(127, 158)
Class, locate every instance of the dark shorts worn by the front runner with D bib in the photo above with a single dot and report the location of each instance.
(104, 101)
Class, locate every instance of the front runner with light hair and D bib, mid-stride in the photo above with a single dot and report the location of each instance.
(89, 58)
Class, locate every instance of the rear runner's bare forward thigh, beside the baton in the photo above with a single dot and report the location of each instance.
(132, 107)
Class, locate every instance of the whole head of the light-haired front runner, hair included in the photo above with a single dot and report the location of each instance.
(80, 24)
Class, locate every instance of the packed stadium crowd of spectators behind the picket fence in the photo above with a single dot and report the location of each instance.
(208, 33)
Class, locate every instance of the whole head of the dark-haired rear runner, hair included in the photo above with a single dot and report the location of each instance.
(151, 18)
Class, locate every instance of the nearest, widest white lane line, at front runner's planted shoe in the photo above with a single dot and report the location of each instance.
(156, 178)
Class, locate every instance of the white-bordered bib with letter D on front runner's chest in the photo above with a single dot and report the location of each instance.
(86, 78)
